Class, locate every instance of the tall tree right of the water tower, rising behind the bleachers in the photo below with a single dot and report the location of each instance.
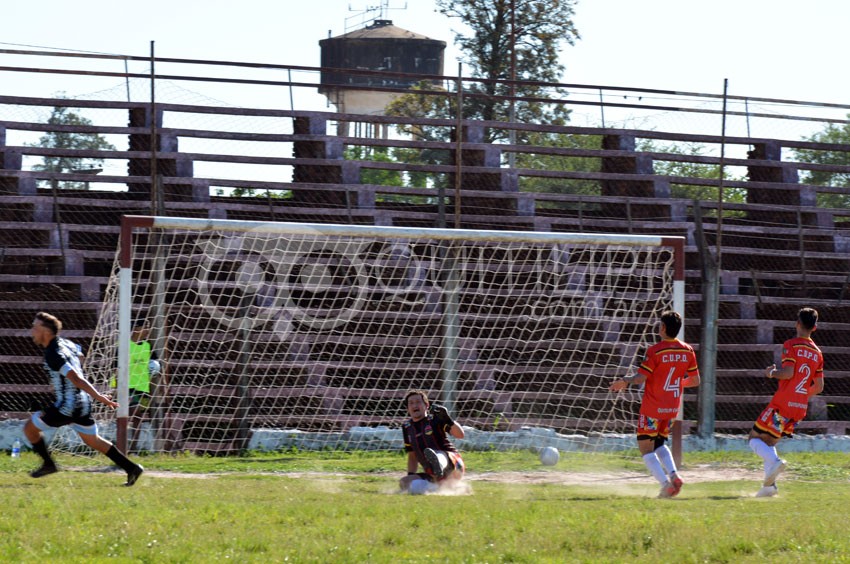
(536, 30)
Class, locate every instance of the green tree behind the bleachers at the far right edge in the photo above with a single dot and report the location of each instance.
(836, 135)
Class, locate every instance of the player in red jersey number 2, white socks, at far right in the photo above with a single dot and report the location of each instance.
(800, 378)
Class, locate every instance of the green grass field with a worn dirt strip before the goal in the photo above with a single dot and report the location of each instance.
(342, 507)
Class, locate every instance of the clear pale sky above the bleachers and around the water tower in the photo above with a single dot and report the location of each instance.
(766, 48)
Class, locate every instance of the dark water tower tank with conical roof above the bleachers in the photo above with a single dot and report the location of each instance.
(380, 46)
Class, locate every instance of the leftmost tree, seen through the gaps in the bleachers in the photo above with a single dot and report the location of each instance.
(59, 139)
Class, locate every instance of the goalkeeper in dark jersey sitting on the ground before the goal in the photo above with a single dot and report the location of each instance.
(426, 441)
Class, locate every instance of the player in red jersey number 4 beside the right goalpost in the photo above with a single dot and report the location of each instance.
(670, 366)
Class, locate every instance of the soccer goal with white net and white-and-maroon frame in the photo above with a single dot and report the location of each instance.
(273, 335)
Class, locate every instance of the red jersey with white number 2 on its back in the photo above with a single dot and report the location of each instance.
(792, 397)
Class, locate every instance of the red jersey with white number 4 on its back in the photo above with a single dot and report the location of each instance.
(666, 366)
